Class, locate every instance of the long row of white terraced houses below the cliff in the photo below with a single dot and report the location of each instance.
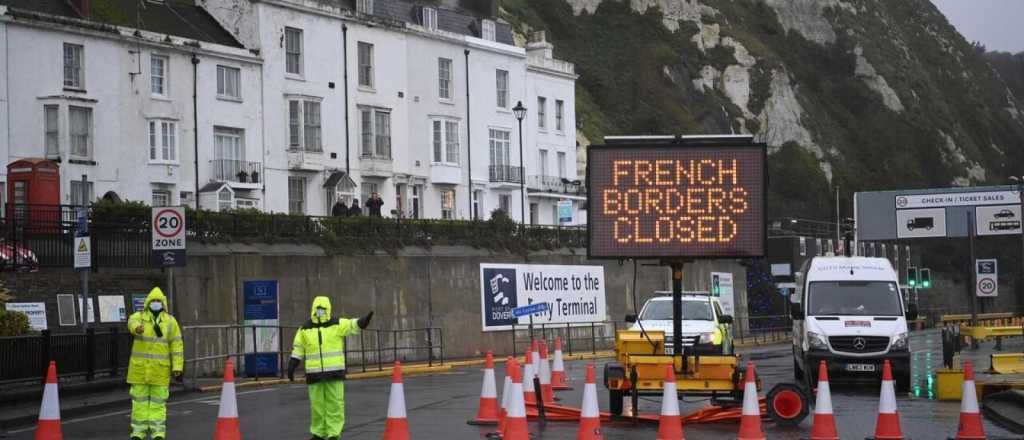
(301, 103)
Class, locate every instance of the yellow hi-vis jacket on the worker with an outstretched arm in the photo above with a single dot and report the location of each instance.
(321, 343)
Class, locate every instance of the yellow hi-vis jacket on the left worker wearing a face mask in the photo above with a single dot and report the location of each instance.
(153, 357)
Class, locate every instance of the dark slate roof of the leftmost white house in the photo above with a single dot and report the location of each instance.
(179, 18)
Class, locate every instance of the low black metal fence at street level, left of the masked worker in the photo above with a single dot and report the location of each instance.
(90, 356)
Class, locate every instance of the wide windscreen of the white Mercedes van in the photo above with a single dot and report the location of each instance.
(855, 299)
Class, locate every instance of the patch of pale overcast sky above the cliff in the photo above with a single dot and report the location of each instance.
(997, 24)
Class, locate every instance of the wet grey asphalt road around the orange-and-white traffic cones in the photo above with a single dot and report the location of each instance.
(440, 406)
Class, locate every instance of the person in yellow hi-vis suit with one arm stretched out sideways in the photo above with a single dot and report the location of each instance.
(321, 343)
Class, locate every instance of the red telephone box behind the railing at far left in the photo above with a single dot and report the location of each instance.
(34, 191)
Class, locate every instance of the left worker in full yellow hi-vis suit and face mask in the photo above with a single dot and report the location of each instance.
(157, 354)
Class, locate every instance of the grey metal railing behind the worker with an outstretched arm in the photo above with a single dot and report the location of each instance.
(208, 347)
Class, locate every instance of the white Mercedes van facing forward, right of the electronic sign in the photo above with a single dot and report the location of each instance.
(849, 313)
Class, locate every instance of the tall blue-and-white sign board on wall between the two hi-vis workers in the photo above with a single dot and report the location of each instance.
(261, 309)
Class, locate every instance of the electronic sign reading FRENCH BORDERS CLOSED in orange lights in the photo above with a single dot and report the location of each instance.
(677, 202)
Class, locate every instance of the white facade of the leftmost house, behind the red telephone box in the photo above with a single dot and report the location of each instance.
(95, 117)
